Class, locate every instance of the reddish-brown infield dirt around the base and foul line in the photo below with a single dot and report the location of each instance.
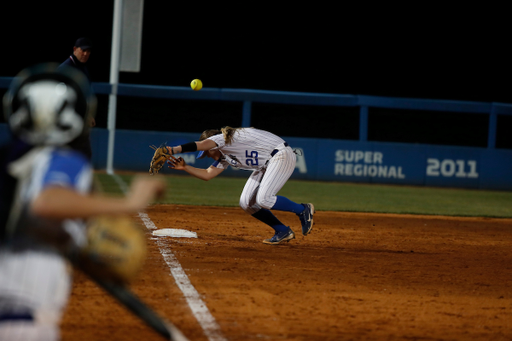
(357, 276)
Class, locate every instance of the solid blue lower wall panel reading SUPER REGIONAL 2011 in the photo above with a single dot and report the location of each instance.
(338, 160)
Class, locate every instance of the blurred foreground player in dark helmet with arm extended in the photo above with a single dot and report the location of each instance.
(45, 190)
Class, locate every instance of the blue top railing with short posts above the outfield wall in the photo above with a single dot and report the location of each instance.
(247, 97)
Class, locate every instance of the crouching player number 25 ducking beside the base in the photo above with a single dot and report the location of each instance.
(272, 162)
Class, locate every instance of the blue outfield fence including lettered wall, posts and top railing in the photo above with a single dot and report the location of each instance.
(360, 160)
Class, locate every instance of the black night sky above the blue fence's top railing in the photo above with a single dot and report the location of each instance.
(401, 51)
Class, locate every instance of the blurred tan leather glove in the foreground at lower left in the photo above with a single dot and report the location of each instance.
(115, 250)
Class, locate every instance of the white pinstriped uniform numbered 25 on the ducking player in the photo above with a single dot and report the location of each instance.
(270, 158)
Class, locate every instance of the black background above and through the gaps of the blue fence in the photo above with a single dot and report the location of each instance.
(458, 53)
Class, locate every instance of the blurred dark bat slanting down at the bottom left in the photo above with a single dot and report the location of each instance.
(140, 309)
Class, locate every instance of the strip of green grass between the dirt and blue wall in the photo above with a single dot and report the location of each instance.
(336, 196)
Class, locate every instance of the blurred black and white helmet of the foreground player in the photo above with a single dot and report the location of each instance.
(49, 106)
